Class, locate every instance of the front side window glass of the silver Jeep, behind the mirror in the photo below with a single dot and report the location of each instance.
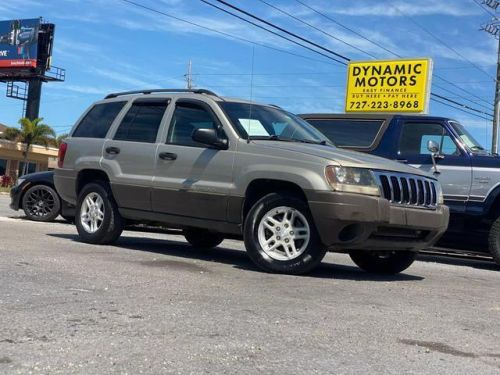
(187, 118)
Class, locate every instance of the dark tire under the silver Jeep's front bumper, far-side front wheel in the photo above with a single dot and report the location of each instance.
(386, 262)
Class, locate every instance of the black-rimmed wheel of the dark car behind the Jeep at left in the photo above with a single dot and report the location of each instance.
(41, 203)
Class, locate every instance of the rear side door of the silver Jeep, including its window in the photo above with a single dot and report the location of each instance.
(129, 157)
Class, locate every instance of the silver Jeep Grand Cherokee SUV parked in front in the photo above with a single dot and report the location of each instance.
(220, 168)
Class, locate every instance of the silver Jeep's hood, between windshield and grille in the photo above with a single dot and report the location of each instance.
(345, 158)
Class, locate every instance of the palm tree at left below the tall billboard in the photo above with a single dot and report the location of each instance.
(31, 132)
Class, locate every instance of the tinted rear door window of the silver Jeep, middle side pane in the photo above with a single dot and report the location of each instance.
(142, 121)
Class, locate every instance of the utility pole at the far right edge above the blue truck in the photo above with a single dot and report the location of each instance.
(493, 27)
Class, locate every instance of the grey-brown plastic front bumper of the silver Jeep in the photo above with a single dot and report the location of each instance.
(354, 221)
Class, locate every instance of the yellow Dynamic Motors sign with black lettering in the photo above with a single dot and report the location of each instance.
(389, 86)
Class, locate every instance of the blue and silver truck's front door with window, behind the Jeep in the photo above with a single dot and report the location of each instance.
(455, 171)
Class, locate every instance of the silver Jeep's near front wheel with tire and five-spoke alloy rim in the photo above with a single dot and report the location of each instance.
(280, 257)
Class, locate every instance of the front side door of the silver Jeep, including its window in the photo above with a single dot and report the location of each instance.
(192, 179)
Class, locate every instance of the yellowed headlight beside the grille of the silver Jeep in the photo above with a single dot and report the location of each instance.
(352, 180)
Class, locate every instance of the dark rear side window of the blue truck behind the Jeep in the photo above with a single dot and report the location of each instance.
(347, 132)
